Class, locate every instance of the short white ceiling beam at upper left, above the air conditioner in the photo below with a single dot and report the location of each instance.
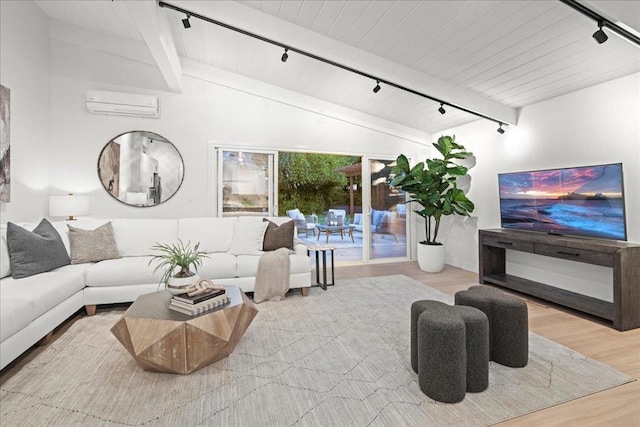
(154, 29)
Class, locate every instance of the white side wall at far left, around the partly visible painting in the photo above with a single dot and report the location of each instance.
(24, 69)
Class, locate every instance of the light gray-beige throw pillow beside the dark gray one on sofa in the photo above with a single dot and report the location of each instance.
(92, 245)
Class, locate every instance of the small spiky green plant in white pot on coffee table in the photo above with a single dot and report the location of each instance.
(178, 255)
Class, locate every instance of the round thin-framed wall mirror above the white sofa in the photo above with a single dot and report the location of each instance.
(140, 168)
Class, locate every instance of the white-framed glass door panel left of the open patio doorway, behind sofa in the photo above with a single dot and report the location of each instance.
(246, 182)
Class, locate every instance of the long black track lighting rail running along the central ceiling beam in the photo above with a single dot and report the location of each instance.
(289, 48)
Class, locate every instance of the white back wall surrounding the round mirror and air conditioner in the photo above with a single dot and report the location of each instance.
(222, 108)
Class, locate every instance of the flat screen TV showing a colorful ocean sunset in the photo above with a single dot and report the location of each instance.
(586, 201)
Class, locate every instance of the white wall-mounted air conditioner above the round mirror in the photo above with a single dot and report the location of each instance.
(122, 104)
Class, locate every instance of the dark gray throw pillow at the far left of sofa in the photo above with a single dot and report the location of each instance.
(37, 251)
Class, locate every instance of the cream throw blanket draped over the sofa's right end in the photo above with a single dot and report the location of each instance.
(272, 278)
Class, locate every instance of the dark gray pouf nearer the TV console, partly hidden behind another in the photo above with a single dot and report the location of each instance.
(508, 323)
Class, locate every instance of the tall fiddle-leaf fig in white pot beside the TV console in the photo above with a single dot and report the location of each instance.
(432, 184)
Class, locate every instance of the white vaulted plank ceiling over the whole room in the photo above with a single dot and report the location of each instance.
(488, 56)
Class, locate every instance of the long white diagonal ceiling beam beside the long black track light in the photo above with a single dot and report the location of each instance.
(291, 35)
